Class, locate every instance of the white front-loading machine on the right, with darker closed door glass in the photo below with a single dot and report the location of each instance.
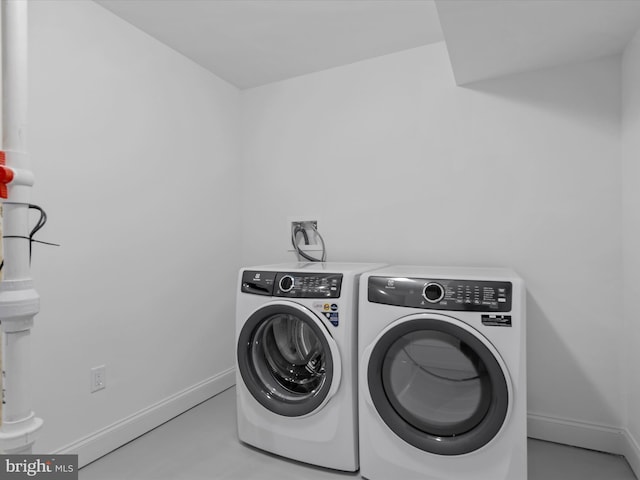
(442, 374)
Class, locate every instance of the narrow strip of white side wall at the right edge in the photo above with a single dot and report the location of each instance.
(631, 228)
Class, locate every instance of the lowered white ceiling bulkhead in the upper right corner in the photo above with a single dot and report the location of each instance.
(492, 38)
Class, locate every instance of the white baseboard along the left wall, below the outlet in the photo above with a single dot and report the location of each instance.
(105, 440)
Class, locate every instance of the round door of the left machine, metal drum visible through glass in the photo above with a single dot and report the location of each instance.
(288, 360)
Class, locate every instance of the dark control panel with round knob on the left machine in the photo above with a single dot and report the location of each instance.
(292, 284)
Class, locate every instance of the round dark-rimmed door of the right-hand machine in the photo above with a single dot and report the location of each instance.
(438, 384)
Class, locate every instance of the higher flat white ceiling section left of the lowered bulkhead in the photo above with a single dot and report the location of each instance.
(255, 42)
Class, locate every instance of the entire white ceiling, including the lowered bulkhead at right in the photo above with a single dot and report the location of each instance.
(254, 42)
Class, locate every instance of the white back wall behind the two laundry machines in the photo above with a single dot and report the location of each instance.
(402, 166)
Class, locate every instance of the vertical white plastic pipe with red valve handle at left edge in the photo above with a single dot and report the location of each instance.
(19, 302)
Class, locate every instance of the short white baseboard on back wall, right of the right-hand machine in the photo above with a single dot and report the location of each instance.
(579, 434)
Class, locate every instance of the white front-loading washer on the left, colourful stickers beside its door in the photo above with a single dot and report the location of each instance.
(296, 379)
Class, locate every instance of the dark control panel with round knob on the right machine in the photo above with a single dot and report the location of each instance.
(441, 294)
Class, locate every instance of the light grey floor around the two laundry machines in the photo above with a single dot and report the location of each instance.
(202, 444)
